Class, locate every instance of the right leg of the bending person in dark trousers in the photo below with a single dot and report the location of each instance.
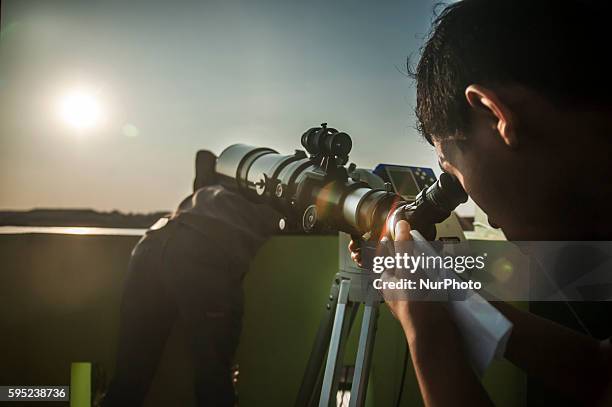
(209, 299)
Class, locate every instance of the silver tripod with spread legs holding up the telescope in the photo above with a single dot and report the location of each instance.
(350, 288)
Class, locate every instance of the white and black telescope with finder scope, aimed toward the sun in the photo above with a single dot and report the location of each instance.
(315, 191)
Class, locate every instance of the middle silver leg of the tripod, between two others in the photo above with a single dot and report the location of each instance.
(336, 347)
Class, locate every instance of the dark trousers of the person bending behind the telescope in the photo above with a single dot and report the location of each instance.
(176, 273)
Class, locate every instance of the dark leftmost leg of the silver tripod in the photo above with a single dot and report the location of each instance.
(311, 380)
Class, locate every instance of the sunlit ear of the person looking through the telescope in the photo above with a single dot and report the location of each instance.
(488, 102)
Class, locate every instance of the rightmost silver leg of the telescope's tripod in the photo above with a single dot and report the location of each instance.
(364, 355)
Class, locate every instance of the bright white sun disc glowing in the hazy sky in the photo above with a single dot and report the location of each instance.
(81, 109)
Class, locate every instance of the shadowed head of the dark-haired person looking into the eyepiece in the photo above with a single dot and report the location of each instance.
(515, 96)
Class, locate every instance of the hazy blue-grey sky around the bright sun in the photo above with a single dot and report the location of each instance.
(162, 79)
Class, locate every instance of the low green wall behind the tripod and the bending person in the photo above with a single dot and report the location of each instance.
(60, 303)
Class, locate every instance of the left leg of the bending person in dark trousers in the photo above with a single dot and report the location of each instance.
(147, 315)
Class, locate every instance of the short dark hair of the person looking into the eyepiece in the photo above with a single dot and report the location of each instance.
(559, 48)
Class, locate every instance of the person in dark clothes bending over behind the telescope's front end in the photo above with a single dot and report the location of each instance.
(189, 267)
